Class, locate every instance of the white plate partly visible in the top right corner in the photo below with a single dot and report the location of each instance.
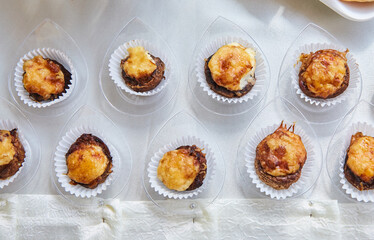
(354, 11)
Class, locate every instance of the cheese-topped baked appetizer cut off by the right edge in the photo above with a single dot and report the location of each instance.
(359, 162)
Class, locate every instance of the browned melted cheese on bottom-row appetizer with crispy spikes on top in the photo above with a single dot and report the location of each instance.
(286, 153)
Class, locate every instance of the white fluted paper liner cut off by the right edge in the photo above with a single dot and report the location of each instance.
(366, 195)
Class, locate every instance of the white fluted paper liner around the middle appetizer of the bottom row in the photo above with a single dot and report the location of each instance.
(153, 165)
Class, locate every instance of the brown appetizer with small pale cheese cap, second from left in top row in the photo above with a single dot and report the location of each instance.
(141, 71)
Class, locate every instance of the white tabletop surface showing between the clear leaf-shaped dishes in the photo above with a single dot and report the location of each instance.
(274, 24)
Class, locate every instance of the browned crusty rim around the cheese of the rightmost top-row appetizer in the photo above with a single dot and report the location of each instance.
(302, 80)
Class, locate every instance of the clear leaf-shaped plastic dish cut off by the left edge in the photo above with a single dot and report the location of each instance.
(11, 113)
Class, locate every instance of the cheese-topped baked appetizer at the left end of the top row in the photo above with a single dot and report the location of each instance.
(45, 79)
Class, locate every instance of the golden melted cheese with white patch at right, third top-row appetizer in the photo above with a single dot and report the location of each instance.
(233, 66)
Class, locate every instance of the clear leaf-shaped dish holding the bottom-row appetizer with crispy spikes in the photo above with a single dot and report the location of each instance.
(271, 116)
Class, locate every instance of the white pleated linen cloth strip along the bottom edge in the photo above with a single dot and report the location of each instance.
(51, 217)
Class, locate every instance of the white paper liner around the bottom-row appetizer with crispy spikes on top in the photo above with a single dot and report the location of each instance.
(306, 172)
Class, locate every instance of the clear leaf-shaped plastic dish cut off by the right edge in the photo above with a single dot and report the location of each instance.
(359, 118)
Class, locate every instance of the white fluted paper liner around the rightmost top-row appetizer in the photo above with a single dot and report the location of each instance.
(353, 81)
